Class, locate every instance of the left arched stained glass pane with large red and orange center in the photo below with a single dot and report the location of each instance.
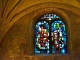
(42, 37)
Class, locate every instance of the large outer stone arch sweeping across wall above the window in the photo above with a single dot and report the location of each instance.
(48, 5)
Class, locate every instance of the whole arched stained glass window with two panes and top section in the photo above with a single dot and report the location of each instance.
(50, 35)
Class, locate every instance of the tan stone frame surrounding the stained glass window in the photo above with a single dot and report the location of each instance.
(41, 12)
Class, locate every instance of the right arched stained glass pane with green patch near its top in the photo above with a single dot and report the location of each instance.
(58, 35)
